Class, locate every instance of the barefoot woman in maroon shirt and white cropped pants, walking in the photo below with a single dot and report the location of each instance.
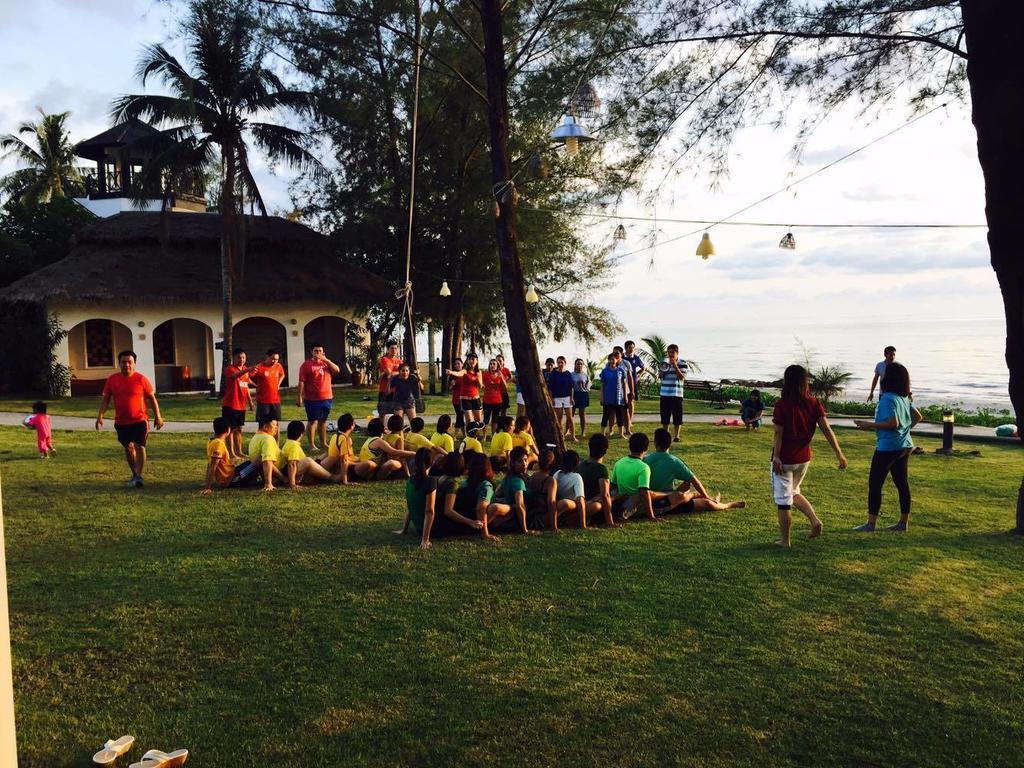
(796, 416)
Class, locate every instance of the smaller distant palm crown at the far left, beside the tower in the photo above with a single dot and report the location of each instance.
(52, 172)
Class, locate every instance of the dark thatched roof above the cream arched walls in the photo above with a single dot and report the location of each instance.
(120, 260)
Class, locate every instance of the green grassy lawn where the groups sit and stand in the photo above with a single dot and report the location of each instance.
(295, 629)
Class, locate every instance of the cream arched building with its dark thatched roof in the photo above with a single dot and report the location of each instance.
(152, 284)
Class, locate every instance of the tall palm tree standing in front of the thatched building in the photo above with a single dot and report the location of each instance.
(212, 117)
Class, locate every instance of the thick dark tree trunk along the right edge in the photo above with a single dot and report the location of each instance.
(996, 71)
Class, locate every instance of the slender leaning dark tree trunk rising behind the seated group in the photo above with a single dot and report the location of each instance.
(540, 408)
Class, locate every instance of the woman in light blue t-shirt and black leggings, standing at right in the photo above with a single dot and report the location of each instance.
(894, 417)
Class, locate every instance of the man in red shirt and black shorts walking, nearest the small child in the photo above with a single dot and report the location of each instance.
(131, 392)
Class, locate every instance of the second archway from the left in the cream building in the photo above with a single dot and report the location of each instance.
(183, 352)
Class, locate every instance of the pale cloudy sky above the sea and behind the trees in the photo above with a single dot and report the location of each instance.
(925, 174)
